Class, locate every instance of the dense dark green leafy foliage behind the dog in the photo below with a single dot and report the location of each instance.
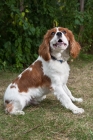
(24, 22)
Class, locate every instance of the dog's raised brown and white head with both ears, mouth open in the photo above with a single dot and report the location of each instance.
(58, 40)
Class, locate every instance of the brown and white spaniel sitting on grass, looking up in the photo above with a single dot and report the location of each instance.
(49, 73)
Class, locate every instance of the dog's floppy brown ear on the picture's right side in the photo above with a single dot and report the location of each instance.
(74, 46)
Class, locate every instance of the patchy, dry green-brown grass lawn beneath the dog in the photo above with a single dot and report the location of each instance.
(49, 120)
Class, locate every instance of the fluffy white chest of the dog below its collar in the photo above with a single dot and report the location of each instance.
(57, 71)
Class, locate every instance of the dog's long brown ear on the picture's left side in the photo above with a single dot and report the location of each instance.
(44, 49)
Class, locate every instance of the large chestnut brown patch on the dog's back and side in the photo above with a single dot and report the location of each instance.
(33, 78)
